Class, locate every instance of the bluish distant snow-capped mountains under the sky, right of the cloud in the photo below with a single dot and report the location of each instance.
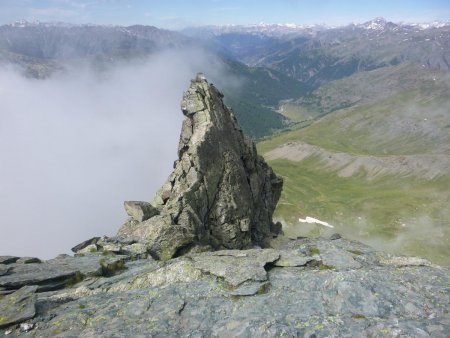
(317, 54)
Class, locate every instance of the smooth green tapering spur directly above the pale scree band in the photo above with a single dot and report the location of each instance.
(412, 122)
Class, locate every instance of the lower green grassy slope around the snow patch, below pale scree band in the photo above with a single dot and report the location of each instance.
(401, 215)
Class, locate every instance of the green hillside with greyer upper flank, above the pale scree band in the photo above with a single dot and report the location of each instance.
(408, 118)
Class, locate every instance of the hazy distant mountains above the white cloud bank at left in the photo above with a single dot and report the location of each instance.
(62, 42)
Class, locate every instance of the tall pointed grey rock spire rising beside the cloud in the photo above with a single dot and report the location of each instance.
(221, 194)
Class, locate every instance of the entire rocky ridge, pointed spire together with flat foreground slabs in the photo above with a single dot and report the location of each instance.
(158, 277)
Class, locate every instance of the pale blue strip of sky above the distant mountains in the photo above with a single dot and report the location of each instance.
(177, 14)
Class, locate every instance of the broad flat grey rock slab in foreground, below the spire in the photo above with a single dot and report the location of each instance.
(293, 291)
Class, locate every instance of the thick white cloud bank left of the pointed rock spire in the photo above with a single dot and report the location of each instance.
(75, 146)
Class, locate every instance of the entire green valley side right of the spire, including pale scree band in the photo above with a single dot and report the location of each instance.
(370, 154)
